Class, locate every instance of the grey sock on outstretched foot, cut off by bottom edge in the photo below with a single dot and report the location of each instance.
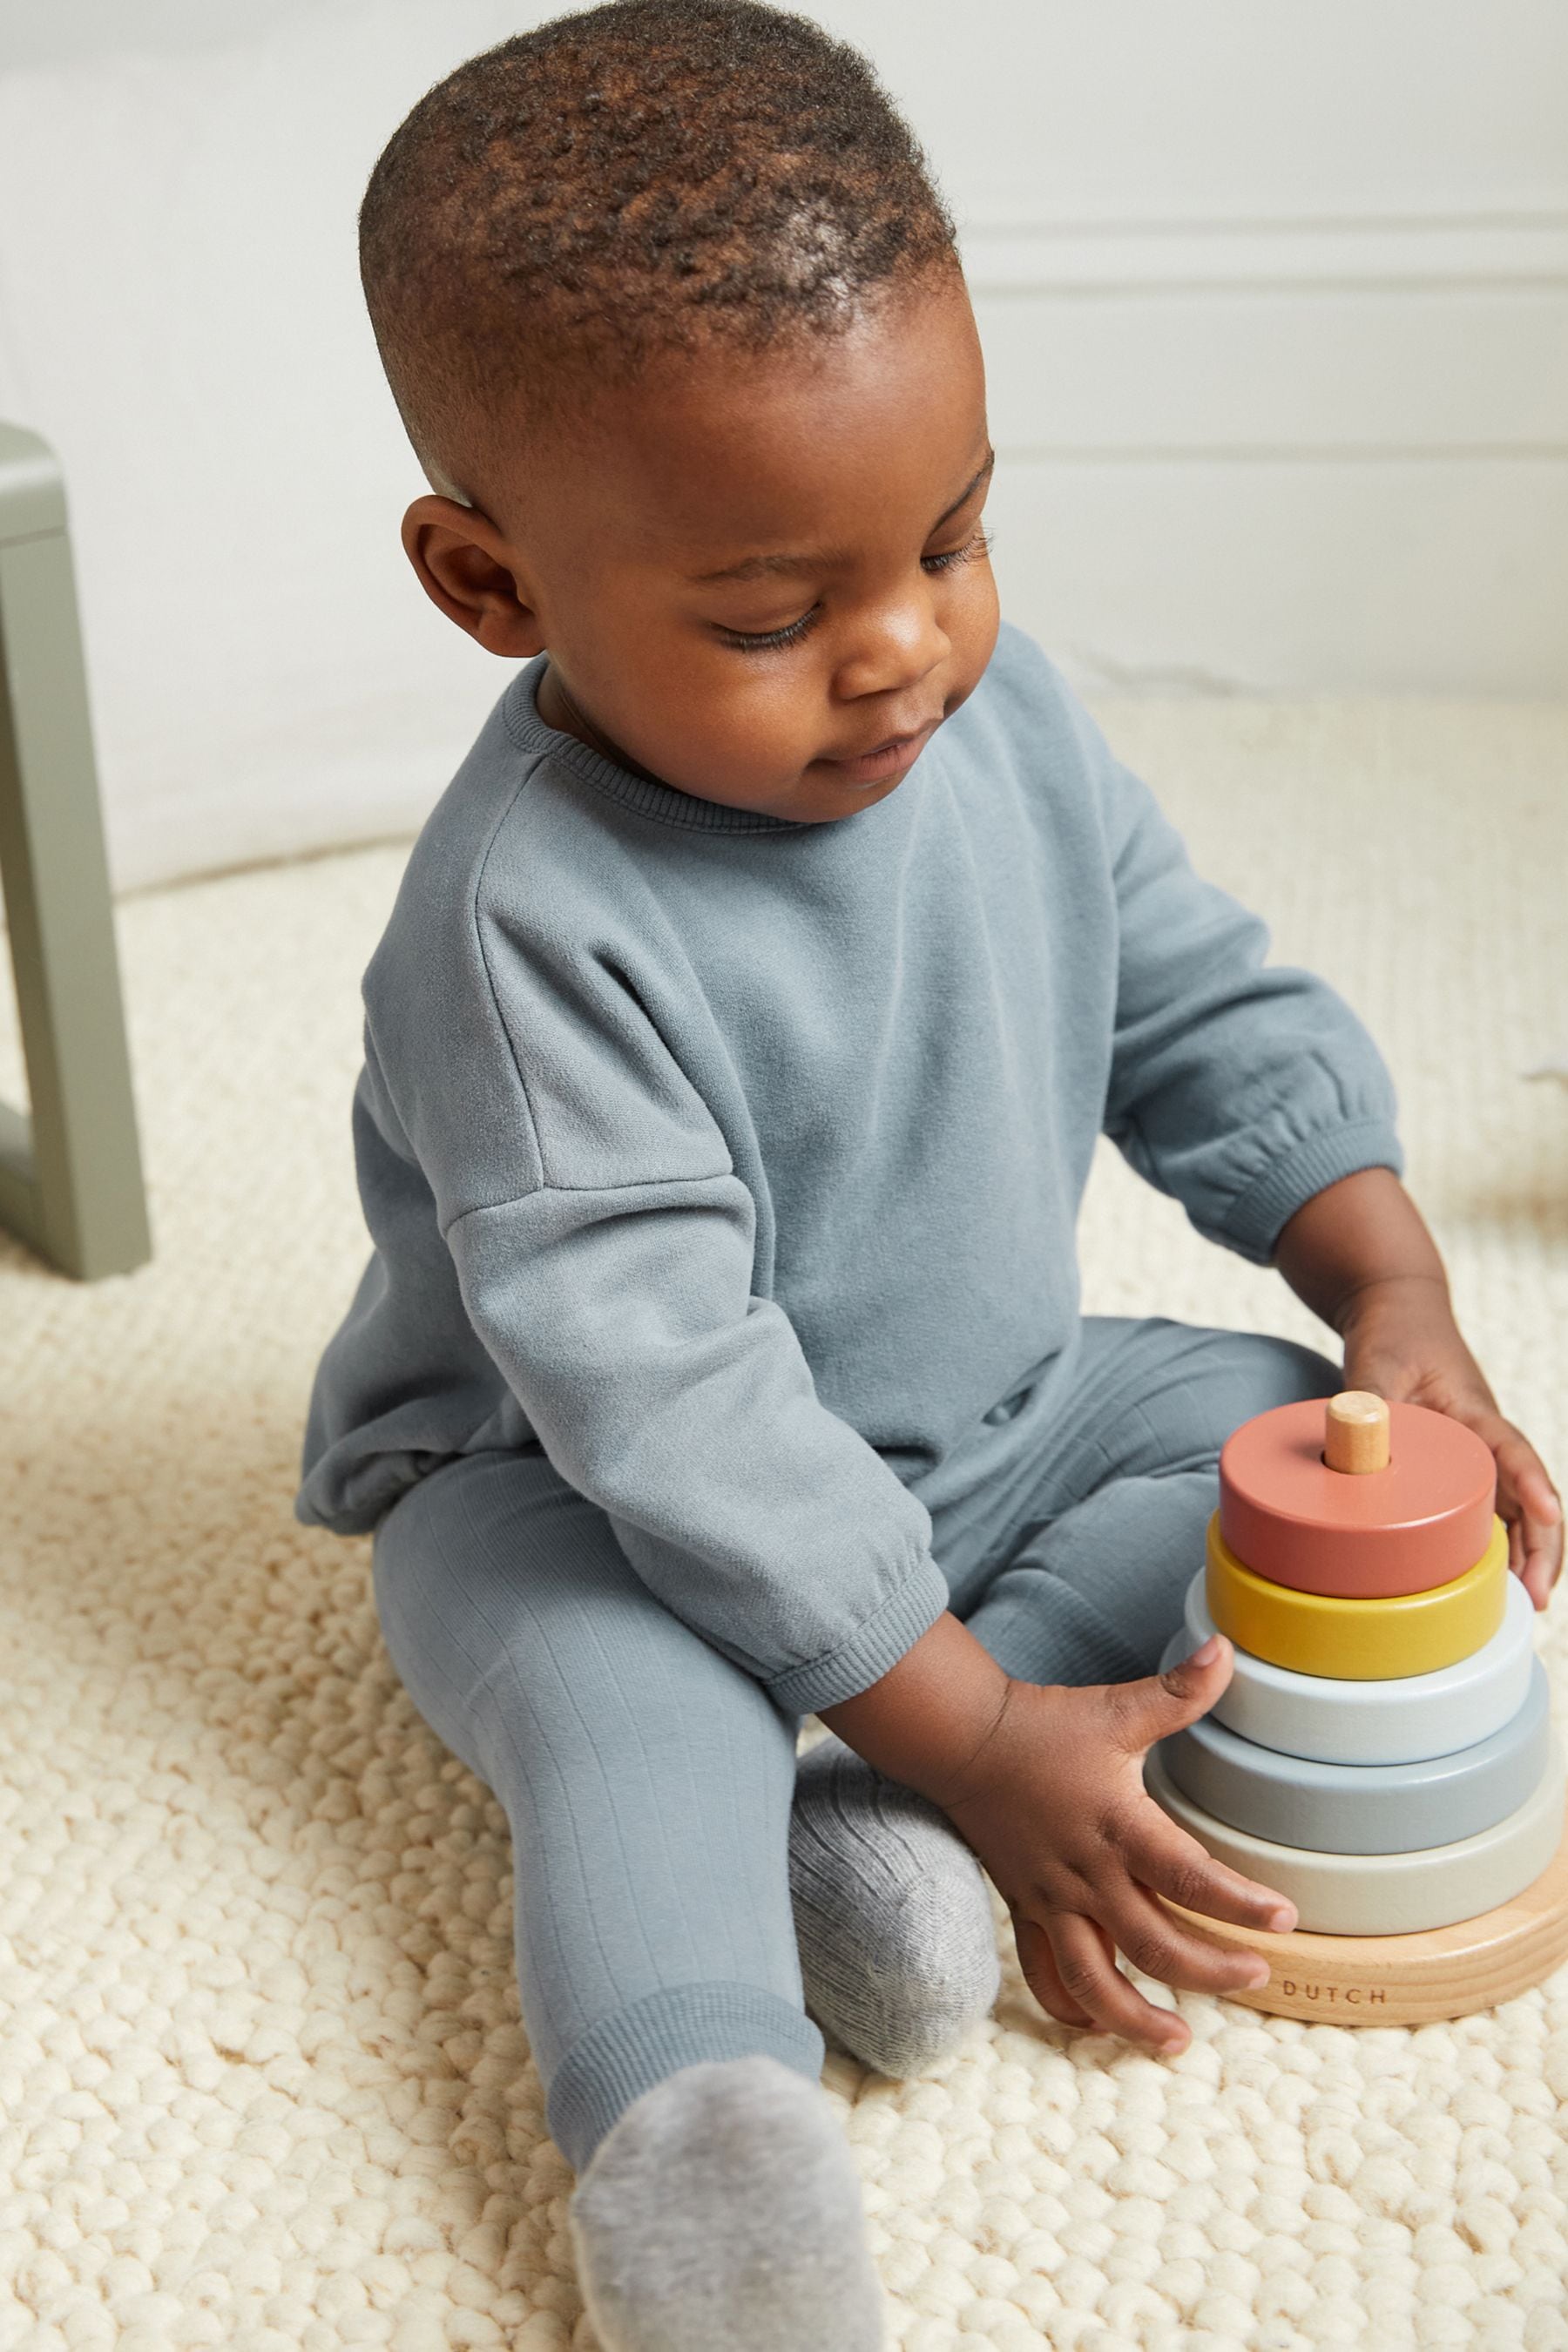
(723, 2212)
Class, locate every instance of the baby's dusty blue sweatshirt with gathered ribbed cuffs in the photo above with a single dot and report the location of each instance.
(737, 1161)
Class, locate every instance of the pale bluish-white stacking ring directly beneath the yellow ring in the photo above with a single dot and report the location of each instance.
(1372, 1723)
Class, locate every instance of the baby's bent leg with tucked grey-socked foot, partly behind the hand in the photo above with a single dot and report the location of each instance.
(892, 1911)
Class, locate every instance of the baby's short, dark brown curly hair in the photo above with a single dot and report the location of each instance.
(619, 185)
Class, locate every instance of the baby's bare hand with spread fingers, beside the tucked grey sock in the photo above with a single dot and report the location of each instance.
(1047, 1786)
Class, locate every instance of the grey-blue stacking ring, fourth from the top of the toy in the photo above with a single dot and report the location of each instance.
(1362, 1808)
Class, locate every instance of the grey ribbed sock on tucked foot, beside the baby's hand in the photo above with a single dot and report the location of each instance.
(892, 1916)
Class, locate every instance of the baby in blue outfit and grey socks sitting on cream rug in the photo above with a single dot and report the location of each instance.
(735, 1062)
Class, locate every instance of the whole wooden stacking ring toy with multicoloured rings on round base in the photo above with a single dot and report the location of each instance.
(1383, 1753)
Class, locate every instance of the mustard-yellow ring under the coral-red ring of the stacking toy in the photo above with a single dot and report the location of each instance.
(1358, 1641)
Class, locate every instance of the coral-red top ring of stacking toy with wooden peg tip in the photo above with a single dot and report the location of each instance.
(1367, 1532)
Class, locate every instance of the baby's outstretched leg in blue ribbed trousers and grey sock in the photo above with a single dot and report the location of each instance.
(648, 1786)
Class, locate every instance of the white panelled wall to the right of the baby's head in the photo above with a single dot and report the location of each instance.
(1275, 307)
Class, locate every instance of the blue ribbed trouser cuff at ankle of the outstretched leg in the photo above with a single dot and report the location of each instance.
(629, 2052)
